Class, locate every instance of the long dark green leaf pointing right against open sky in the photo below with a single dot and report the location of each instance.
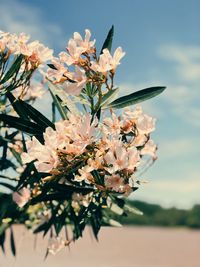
(136, 97)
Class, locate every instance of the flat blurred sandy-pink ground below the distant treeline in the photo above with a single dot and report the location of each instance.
(117, 247)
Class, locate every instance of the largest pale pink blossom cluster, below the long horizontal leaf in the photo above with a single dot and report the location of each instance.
(114, 148)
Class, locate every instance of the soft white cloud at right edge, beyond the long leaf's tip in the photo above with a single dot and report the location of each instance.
(183, 94)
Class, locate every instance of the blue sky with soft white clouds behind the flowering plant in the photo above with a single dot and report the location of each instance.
(162, 44)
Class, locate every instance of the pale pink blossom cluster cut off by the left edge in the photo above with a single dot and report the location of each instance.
(19, 59)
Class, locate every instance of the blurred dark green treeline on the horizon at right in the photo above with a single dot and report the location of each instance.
(158, 216)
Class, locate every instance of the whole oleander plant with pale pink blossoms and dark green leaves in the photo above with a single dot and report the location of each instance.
(79, 167)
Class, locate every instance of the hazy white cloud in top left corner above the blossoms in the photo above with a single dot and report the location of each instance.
(17, 17)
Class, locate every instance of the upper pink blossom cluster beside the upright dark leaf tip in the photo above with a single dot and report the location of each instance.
(81, 54)
